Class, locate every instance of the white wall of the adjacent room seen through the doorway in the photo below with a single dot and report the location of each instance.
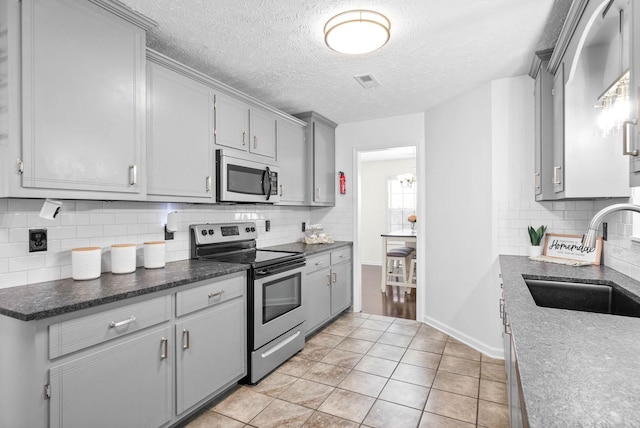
(374, 203)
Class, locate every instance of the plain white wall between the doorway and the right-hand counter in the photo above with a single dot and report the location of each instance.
(461, 290)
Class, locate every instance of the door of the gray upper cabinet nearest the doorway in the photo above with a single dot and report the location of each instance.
(324, 153)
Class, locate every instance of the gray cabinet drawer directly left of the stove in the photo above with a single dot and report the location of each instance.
(210, 293)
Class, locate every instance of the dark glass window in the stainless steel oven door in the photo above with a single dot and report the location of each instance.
(281, 296)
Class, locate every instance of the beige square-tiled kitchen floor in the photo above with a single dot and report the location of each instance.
(372, 371)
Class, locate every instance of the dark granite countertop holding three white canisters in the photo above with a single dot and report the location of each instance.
(47, 299)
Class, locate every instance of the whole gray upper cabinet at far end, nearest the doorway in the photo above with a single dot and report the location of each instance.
(321, 159)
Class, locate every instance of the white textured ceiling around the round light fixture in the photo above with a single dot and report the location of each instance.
(274, 50)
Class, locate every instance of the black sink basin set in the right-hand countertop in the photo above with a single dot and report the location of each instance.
(584, 296)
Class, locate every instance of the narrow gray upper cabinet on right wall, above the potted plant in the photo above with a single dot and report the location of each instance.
(543, 154)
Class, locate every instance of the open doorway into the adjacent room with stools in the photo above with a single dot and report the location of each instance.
(387, 196)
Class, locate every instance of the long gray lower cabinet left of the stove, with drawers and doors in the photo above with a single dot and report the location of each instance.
(148, 361)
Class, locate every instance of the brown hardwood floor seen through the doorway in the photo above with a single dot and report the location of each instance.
(395, 303)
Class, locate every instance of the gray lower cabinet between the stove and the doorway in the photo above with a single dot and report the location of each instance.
(327, 289)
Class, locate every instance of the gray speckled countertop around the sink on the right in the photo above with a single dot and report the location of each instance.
(577, 369)
